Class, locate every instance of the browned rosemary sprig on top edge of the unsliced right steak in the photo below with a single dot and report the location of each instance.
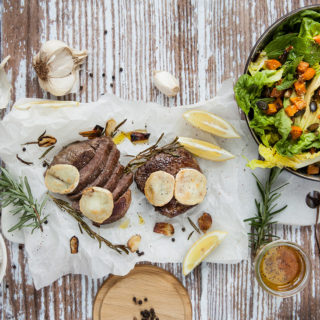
(150, 152)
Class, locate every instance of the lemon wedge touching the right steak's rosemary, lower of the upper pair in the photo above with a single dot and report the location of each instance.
(205, 149)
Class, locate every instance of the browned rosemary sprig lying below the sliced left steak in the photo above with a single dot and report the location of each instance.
(65, 206)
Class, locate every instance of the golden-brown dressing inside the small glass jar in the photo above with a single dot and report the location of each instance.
(282, 268)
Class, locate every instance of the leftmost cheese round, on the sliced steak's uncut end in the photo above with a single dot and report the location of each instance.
(62, 178)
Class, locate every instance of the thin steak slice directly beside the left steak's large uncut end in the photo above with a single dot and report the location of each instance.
(95, 166)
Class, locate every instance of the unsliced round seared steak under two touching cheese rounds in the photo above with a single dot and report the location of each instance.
(171, 164)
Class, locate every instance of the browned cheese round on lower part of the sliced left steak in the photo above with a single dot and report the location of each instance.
(96, 204)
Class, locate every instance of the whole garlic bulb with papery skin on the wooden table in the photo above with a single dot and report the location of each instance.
(57, 67)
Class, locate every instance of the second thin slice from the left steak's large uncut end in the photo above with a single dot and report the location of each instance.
(105, 174)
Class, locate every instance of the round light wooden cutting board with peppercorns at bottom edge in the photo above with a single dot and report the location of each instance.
(164, 293)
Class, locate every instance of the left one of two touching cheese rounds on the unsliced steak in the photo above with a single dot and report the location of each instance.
(159, 188)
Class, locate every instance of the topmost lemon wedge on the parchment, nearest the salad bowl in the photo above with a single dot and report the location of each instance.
(209, 122)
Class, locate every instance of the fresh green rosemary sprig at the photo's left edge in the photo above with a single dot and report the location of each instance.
(20, 196)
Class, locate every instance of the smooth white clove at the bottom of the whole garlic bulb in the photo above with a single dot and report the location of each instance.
(59, 86)
